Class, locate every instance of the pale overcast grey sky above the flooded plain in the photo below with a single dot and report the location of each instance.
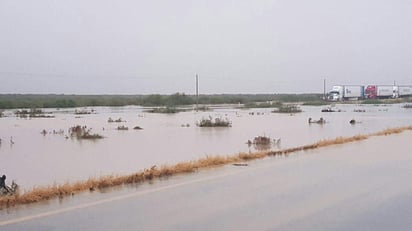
(156, 46)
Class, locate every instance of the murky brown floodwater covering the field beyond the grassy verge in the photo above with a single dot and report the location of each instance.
(42, 160)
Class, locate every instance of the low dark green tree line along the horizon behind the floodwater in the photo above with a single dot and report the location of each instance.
(12, 101)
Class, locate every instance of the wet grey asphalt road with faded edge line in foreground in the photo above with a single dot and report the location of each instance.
(359, 186)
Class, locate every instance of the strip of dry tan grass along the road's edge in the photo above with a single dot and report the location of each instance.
(55, 191)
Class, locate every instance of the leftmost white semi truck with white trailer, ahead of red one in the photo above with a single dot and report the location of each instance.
(346, 92)
